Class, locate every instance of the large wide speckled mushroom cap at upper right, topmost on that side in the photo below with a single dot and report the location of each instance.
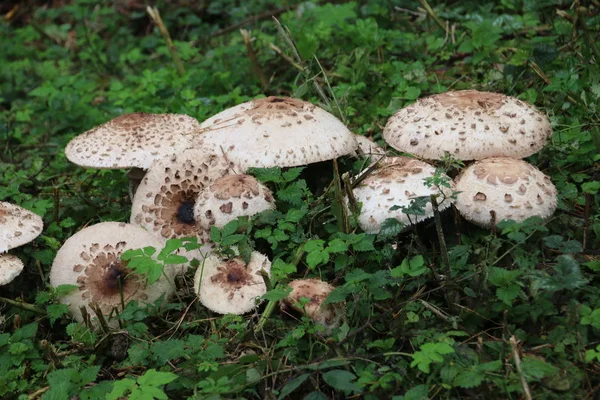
(470, 125)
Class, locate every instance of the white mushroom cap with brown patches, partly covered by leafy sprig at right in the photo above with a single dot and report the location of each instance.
(396, 182)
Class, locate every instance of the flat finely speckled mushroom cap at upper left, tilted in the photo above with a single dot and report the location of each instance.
(131, 140)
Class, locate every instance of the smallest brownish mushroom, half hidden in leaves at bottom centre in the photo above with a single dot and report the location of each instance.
(329, 315)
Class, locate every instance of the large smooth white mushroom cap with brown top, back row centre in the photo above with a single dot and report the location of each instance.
(277, 131)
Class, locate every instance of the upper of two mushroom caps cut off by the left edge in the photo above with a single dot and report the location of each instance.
(18, 226)
